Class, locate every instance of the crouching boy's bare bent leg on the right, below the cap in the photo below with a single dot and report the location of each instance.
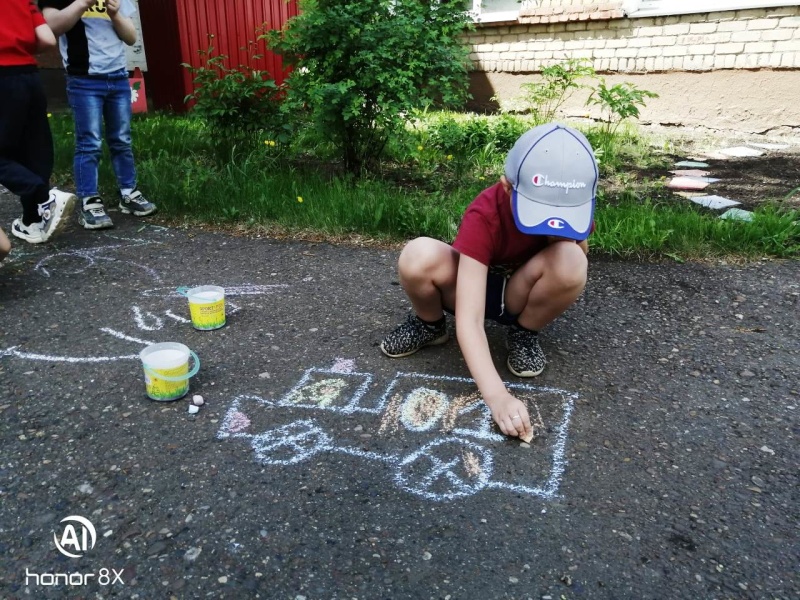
(547, 285)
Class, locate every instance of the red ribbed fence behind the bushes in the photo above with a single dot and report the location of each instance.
(175, 30)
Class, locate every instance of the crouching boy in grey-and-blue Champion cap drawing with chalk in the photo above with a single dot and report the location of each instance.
(519, 258)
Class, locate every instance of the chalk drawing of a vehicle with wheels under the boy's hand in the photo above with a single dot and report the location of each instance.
(454, 441)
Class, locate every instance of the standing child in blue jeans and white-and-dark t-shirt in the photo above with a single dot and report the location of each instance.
(93, 34)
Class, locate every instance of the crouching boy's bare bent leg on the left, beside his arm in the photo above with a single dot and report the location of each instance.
(428, 270)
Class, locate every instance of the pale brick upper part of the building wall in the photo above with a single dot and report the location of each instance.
(555, 30)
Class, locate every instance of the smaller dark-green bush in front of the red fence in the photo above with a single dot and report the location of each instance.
(235, 101)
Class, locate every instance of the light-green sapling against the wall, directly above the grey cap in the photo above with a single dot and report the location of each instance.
(558, 82)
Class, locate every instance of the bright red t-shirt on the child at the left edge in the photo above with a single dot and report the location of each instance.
(17, 38)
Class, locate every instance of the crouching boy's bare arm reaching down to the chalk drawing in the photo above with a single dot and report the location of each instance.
(470, 307)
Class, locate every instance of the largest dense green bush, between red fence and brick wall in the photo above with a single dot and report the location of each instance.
(363, 67)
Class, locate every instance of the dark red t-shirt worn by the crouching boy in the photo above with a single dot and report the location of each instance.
(489, 235)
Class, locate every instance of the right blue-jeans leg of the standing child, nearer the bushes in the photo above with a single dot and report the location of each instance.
(117, 115)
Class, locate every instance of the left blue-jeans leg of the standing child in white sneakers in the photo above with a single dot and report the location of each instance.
(86, 100)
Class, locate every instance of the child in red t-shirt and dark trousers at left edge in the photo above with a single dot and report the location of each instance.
(26, 145)
